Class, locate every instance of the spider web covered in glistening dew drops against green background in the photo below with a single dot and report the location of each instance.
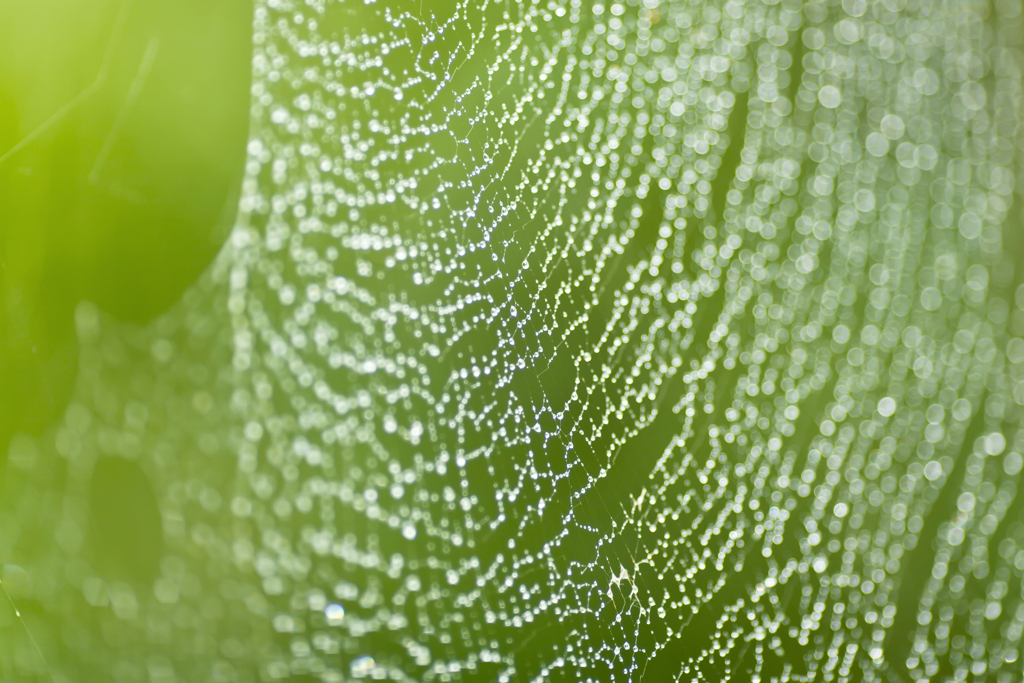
(573, 341)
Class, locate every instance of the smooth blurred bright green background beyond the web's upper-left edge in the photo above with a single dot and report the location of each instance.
(122, 138)
